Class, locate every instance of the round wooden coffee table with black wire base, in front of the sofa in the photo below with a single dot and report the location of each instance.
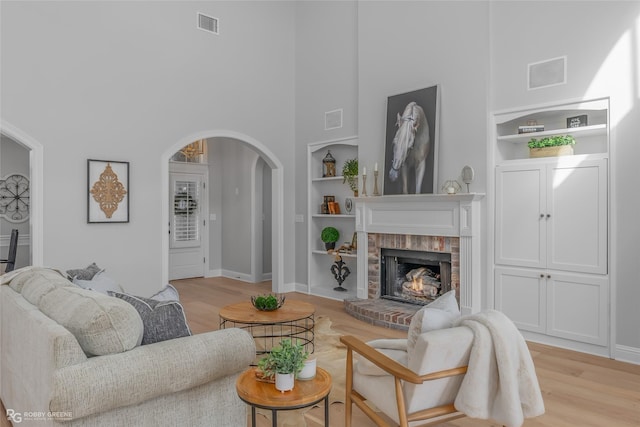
(294, 320)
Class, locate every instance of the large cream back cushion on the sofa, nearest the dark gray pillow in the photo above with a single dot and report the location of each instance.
(101, 324)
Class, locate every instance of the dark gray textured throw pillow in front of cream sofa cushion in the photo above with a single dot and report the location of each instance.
(162, 320)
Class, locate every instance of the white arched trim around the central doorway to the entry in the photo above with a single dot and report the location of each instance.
(277, 190)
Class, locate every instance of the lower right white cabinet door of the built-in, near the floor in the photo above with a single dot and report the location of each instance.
(577, 307)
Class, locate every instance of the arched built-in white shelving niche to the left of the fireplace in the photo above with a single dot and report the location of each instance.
(320, 280)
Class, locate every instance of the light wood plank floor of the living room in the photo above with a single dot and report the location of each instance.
(578, 389)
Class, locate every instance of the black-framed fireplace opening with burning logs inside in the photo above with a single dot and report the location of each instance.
(416, 277)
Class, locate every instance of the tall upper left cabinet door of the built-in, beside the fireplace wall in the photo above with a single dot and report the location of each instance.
(520, 230)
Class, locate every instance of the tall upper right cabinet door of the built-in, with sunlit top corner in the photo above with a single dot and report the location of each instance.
(577, 216)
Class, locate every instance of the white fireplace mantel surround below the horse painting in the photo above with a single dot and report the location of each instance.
(426, 215)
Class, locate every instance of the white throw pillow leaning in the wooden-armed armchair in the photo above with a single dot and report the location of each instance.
(438, 314)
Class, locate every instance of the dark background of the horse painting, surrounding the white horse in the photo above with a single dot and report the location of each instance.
(429, 99)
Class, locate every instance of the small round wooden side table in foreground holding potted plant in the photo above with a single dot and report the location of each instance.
(259, 394)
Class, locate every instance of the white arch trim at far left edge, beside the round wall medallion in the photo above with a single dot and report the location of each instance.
(36, 221)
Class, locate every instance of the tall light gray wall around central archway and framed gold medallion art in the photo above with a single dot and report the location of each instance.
(126, 81)
